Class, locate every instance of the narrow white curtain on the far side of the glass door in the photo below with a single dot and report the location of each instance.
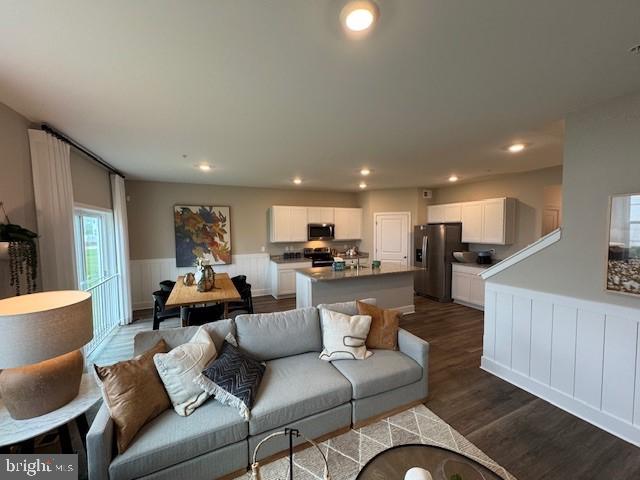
(122, 245)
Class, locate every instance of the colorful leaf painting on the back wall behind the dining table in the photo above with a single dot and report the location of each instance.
(202, 232)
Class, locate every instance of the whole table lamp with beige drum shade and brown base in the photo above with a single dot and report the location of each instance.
(42, 334)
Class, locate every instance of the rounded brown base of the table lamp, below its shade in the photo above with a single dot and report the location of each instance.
(41, 388)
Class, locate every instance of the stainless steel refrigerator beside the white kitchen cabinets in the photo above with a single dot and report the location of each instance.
(434, 245)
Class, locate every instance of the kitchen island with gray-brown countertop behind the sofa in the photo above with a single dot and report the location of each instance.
(391, 285)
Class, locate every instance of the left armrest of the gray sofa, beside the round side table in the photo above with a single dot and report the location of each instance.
(100, 445)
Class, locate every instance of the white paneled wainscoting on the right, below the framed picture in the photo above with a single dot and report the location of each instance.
(582, 356)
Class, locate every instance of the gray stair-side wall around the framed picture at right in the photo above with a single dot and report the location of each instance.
(601, 158)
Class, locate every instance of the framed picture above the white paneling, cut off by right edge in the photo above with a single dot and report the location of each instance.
(623, 262)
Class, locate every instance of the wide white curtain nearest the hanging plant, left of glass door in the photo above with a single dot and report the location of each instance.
(53, 194)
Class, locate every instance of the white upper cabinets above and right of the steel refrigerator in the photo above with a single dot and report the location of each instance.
(490, 221)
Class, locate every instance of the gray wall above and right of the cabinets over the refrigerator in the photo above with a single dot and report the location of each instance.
(530, 188)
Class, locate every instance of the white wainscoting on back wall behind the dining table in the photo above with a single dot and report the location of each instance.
(147, 274)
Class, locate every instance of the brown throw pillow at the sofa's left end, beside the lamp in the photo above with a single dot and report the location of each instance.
(134, 393)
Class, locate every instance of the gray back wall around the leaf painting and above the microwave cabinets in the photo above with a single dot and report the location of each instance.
(150, 212)
